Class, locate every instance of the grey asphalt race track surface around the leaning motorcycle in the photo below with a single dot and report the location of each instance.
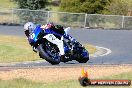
(119, 41)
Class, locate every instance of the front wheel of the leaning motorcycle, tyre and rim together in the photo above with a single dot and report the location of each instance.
(49, 53)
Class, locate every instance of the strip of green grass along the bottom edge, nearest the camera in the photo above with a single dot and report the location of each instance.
(23, 83)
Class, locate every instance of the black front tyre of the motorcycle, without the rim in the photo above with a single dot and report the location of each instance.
(45, 56)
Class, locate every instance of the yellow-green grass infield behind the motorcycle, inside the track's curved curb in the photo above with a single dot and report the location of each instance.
(17, 49)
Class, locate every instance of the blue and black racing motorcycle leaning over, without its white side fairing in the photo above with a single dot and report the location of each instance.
(50, 52)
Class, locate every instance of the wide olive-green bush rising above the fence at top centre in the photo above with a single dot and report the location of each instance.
(86, 6)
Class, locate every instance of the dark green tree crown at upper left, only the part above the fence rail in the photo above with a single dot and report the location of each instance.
(31, 4)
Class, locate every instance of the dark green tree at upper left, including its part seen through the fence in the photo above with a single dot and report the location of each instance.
(29, 15)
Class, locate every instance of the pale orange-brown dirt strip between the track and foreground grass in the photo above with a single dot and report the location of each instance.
(58, 74)
